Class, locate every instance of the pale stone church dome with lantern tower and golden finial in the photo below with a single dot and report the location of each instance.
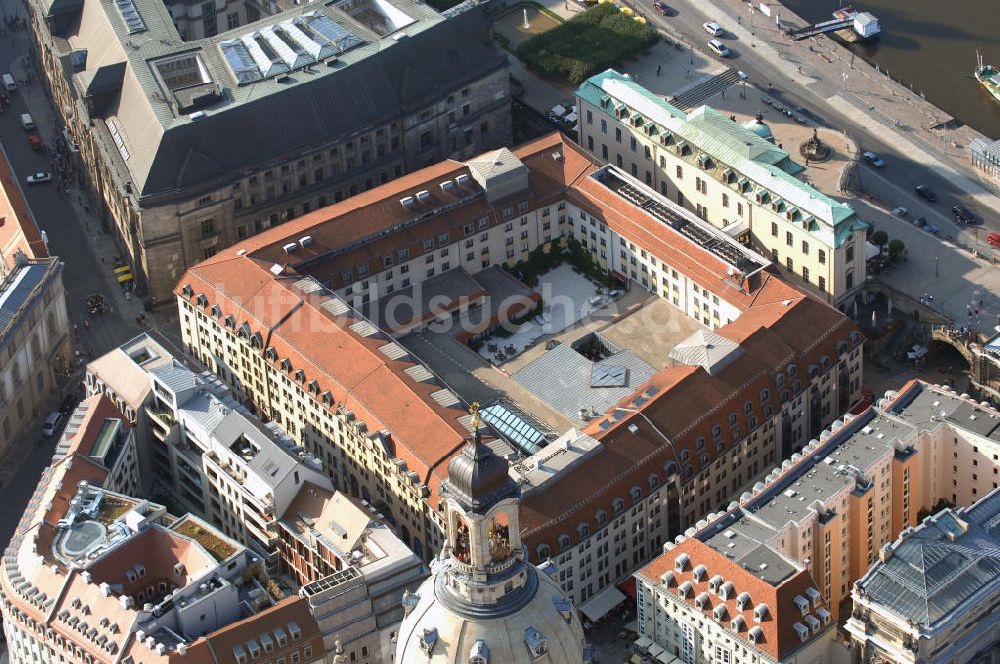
(483, 603)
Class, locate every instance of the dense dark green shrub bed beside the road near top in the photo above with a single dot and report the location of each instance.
(588, 43)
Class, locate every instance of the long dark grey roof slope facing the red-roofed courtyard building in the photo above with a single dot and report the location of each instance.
(402, 76)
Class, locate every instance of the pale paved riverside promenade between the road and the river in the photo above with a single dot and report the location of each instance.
(867, 97)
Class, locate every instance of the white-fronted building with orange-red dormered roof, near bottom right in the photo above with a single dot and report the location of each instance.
(697, 605)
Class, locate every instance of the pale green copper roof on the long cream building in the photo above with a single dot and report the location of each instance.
(728, 143)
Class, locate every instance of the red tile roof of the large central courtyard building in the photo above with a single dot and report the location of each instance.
(779, 325)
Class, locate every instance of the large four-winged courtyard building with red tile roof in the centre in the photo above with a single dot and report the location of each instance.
(281, 320)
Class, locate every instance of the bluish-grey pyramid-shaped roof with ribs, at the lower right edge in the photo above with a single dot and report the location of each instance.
(952, 557)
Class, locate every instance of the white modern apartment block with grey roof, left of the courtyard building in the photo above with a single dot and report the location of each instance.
(216, 460)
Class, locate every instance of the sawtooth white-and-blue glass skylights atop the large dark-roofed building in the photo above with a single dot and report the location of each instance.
(287, 46)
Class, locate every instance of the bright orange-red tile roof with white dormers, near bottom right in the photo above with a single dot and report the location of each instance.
(780, 638)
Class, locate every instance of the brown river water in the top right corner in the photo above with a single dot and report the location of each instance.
(931, 45)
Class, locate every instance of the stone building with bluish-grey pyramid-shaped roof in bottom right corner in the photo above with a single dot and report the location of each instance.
(932, 595)
